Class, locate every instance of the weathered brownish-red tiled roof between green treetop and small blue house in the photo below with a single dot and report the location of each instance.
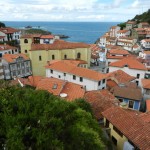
(100, 100)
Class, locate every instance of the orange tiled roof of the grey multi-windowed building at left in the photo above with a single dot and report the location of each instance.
(11, 57)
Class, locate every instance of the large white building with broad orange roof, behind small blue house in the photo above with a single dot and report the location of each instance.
(131, 66)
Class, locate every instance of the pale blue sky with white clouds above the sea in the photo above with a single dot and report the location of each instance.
(72, 10)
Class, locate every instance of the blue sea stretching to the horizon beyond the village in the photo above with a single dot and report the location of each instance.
(87, 32)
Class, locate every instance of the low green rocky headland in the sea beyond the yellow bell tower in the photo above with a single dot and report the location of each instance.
(36, 31)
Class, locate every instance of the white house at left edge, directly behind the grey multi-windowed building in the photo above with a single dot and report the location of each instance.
(7, 49)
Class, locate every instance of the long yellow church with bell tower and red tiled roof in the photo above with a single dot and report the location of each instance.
(40, 54)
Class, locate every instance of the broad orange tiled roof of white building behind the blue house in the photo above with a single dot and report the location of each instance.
(131, 62)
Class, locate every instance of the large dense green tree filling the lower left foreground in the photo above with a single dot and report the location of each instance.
(38, 120)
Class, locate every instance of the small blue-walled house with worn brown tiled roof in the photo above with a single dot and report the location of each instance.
(131, 100)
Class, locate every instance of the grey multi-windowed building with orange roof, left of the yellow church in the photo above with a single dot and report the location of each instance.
(16, 65)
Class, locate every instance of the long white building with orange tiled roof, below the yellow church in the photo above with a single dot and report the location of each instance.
(89, 79)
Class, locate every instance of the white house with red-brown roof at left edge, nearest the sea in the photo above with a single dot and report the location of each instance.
(10, 34)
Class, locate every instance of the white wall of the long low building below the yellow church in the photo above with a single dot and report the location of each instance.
(90, 84)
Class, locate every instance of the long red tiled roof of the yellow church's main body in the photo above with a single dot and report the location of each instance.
(58, 45)
